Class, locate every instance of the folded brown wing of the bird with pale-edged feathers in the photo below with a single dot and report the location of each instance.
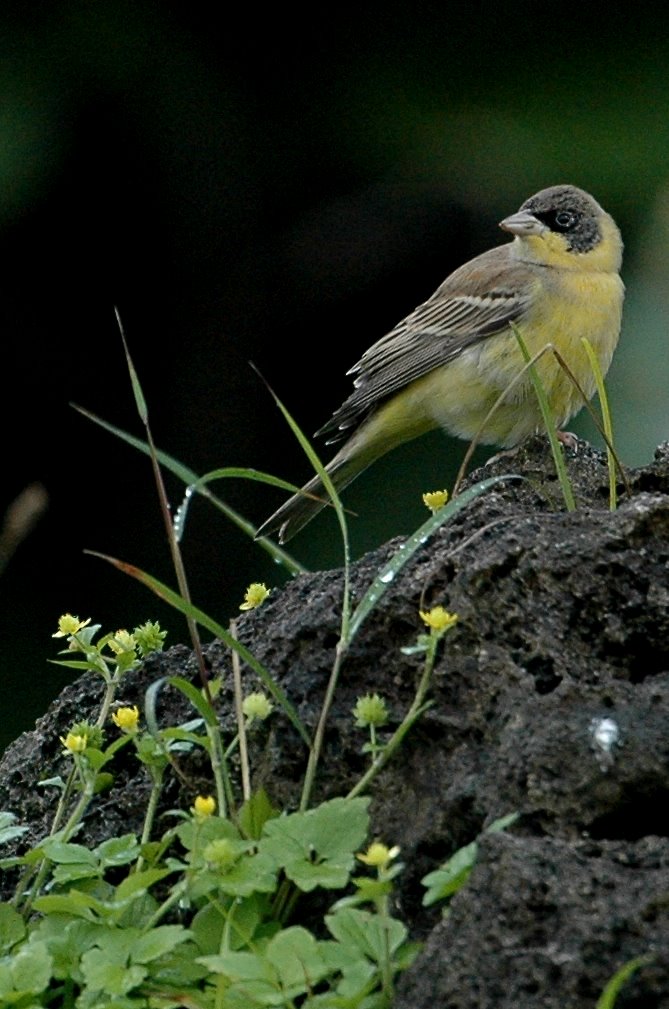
(479, 300)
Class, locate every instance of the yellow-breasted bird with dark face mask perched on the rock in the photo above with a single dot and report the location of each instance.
(448, 363)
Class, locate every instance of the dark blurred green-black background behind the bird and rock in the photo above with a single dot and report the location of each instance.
(279, 187)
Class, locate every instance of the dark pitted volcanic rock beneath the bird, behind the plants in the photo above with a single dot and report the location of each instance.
(550, 699)
